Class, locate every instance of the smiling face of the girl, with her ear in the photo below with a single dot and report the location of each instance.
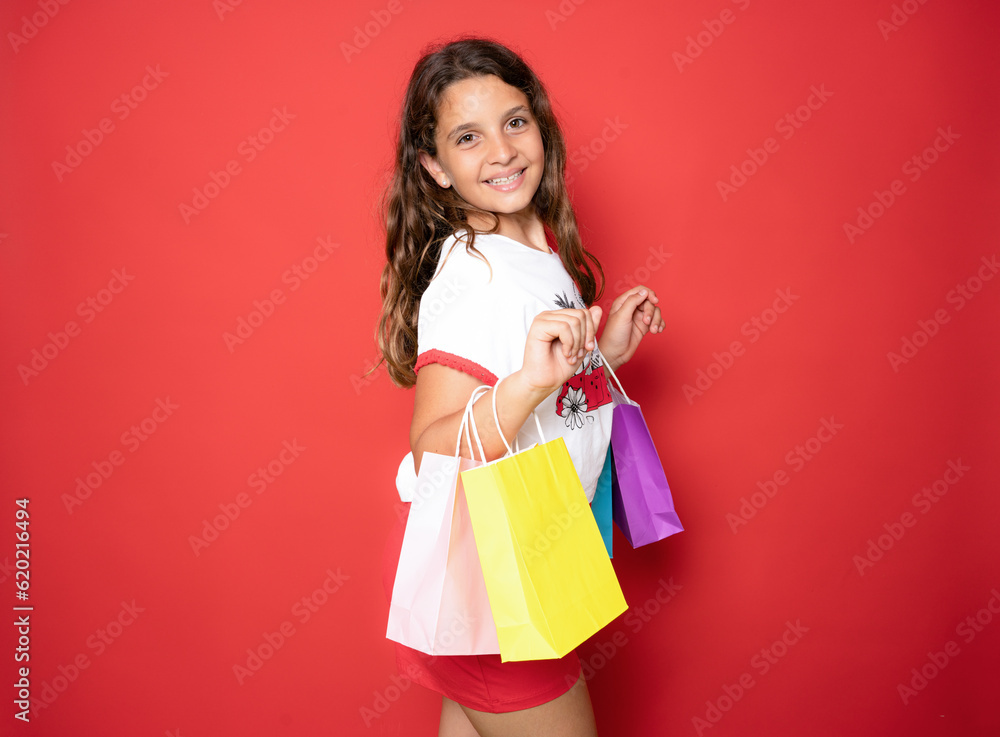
(489, 146)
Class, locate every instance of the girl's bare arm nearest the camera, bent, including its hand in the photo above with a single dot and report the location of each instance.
(557, 341)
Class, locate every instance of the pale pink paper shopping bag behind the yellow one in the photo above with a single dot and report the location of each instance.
(439, 603)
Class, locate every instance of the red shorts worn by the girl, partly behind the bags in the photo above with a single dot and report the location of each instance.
(480, 682)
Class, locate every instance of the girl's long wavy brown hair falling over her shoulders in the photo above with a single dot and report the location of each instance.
(419, 215)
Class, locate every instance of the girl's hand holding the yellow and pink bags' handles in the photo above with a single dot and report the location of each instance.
(557, 342)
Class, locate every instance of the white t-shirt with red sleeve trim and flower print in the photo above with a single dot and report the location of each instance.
(479, 325)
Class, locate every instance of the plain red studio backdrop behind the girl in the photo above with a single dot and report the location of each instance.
(648, 183)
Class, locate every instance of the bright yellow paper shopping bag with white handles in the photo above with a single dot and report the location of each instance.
(547, 573)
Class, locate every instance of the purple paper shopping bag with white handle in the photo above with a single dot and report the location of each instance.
(643, 507)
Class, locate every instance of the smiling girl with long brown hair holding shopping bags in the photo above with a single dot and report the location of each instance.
(487, 280)
